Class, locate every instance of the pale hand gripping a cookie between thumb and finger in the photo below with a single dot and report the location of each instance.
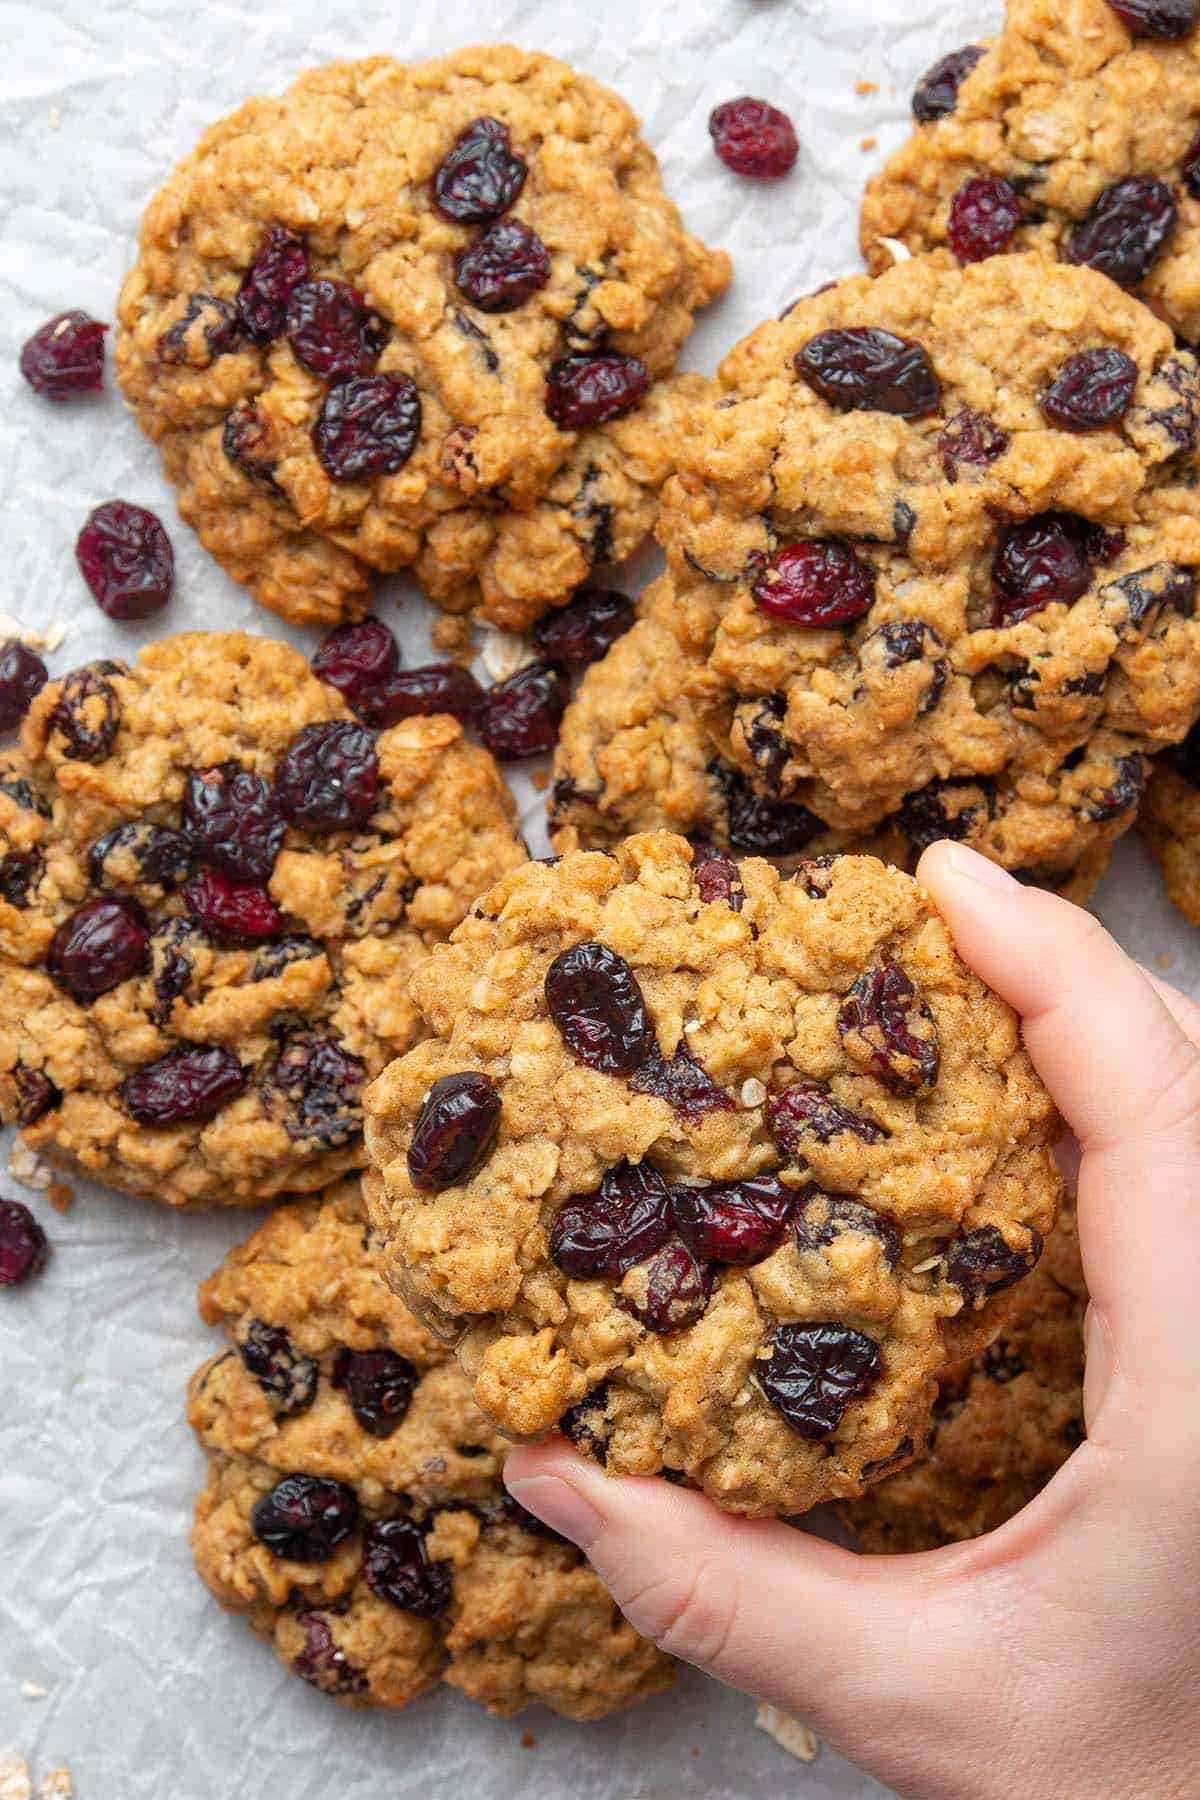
(1061, 1657)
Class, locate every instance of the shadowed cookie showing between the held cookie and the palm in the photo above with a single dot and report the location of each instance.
(1003, 1425)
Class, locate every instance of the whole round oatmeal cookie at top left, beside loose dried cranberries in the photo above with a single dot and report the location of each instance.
(416, 318)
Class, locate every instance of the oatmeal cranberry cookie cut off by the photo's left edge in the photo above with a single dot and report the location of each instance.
(215, 885)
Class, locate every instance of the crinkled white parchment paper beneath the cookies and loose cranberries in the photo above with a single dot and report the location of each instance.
(112, 1659)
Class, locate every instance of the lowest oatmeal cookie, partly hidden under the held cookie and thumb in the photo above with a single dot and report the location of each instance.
(354, 1507)
